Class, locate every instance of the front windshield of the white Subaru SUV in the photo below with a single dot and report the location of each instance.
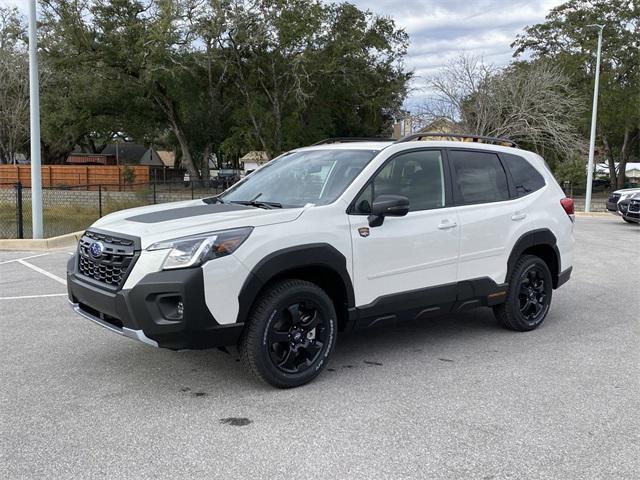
(295, 179)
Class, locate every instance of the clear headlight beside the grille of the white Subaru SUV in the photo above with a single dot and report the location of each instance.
(198, 249)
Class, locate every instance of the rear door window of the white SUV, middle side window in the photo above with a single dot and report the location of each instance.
(480, 177)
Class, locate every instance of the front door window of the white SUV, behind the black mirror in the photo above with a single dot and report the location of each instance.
(419, 176)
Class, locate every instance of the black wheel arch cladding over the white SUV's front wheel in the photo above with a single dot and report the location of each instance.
(274, 265)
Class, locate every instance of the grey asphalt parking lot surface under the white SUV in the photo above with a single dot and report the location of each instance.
(452, 397)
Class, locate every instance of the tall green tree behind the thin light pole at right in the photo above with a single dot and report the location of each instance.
(567, 39)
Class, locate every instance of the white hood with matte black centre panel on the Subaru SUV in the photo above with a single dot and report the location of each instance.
(166, 221)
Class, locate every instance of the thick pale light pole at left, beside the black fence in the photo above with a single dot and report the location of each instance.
(34, 102)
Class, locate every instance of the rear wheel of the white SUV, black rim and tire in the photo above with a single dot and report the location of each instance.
(529, 297)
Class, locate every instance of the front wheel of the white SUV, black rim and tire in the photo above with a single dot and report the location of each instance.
(290, 334)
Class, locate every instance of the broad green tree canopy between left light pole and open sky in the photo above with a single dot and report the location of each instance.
(212, 75)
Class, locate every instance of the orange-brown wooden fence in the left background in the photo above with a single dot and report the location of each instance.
(64, 176)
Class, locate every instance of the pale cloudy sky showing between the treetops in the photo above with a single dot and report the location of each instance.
(440, 29)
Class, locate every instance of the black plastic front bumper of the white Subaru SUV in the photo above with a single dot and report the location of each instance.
(147, 311)
